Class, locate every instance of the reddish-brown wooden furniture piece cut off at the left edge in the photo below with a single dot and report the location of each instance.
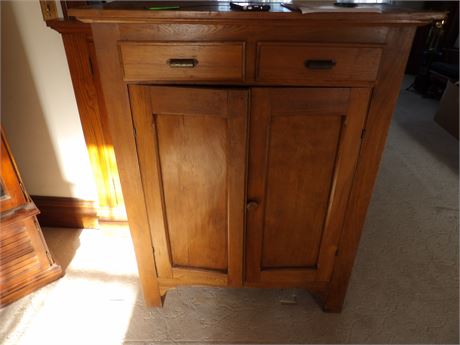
(25, 261)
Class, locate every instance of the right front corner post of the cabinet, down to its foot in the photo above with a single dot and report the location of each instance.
(378, 120)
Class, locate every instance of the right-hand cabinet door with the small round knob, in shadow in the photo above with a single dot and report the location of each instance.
(304, 144)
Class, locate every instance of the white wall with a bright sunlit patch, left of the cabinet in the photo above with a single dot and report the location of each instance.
(38, 107)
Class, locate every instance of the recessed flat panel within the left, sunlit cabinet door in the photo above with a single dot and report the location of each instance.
(193, 160)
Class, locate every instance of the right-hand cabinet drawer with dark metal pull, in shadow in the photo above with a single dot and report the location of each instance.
(320, 64)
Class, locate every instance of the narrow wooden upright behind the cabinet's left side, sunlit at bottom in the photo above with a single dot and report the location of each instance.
(93, 117)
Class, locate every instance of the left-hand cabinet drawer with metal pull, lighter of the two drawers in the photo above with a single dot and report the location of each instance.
(182, 61)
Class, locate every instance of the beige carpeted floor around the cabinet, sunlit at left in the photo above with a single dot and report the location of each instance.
(404, 288)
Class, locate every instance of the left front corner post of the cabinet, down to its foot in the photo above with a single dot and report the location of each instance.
(121, 127)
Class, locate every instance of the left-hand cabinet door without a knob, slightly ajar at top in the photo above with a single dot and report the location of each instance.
(191, 144)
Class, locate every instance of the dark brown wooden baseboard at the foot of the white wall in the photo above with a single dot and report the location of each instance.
(66, 212)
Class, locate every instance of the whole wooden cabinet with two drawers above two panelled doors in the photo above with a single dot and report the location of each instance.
(248, 143)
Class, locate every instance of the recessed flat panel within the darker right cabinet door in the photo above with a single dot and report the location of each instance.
(301, 158)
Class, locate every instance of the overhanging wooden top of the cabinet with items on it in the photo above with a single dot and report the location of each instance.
(199, 11)
